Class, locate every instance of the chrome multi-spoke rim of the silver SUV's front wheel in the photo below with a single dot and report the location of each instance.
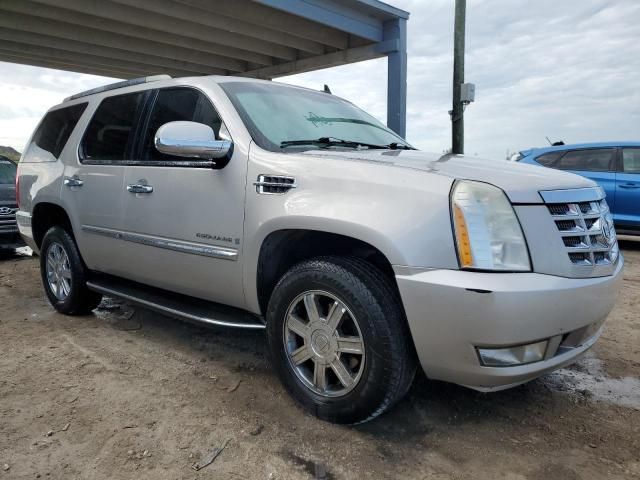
(324, 343)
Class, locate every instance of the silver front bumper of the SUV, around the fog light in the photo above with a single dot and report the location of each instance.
(451, 313)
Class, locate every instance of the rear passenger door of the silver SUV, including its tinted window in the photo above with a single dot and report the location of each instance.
(93, 190)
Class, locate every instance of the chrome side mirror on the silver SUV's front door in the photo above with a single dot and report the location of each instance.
(192, 140)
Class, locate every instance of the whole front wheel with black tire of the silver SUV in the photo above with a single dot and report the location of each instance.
(373, 316)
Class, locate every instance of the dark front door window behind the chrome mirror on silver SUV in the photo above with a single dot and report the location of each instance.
(177, 104)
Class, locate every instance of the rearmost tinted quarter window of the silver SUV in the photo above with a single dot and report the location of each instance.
(56, 127)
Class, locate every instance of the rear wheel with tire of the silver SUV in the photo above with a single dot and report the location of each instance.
(71, 297)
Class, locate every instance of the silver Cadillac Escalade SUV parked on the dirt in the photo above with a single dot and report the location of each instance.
(253, 204)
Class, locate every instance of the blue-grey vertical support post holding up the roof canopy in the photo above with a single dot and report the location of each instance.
(397, 76)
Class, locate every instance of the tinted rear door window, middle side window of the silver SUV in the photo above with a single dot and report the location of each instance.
(111, 132)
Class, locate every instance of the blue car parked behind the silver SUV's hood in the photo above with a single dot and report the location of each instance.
(614, 166)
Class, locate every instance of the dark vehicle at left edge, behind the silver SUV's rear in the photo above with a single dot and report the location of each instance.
(9, 235)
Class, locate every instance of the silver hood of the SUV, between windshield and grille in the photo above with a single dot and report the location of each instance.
(520, 182)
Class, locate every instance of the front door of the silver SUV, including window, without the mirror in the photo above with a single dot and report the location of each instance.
(184, 223)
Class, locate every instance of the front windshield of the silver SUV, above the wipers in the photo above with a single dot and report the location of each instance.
(279, 115)
